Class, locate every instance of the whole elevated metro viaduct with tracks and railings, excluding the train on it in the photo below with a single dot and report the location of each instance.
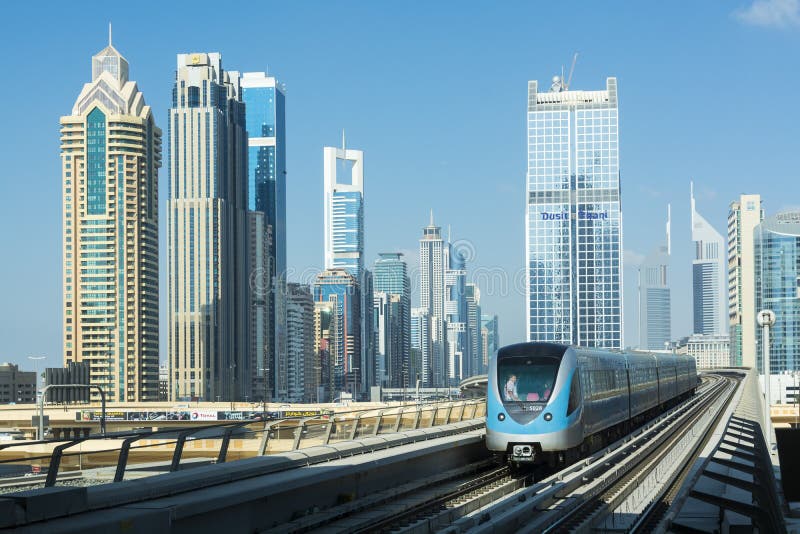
(703, 466)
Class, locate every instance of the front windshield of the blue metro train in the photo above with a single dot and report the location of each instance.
(526, 378)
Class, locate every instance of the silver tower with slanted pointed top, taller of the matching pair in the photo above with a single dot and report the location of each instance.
(710, 302)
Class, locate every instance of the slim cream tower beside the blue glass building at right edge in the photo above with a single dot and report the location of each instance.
(743, 217)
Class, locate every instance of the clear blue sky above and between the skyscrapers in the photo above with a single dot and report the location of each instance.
(435, 95)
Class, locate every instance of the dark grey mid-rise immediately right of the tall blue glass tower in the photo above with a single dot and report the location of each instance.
(300, 341)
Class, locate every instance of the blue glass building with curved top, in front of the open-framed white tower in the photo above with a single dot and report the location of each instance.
(341, 288)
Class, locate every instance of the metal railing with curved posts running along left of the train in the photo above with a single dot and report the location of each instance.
(254, 437)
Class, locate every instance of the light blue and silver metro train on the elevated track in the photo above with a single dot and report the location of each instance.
(553, 404)
